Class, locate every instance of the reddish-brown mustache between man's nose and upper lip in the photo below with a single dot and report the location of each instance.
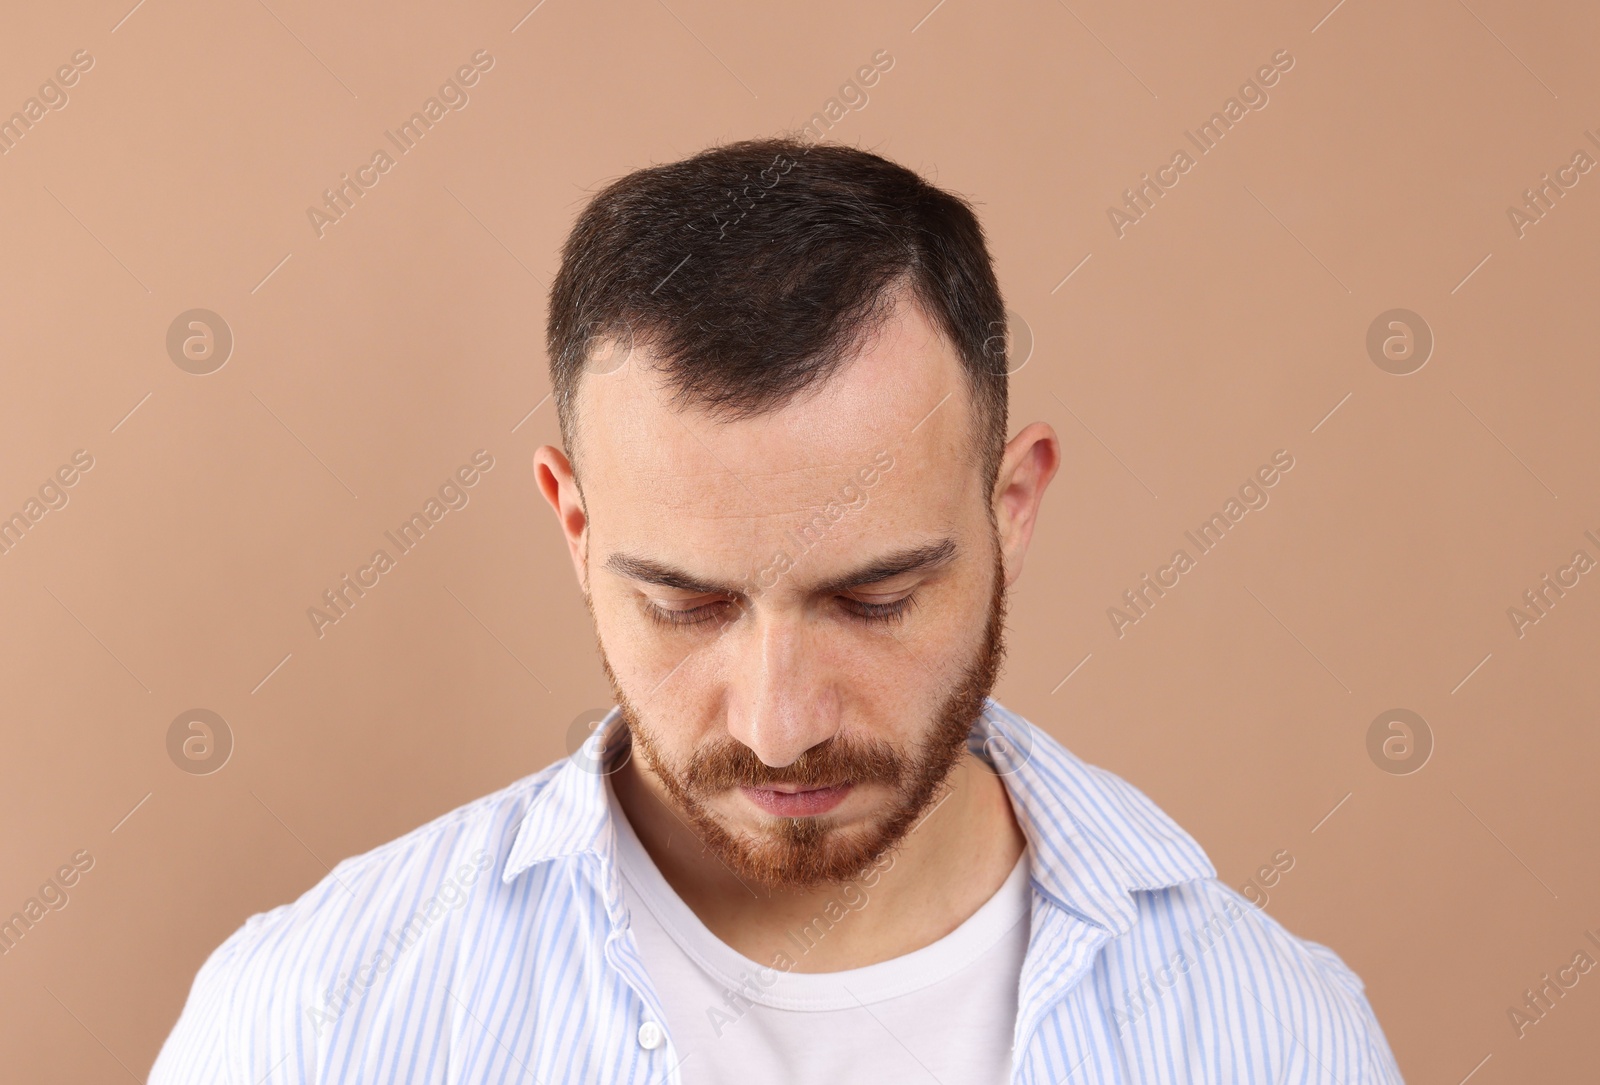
(730, 764)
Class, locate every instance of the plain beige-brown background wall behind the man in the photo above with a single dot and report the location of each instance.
(1175, 361)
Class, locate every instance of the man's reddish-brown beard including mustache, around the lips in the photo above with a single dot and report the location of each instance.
(799, 854)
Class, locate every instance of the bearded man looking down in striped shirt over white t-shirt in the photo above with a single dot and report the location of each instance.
(806, 846)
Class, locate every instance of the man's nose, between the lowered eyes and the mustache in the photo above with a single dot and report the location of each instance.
(782, 700)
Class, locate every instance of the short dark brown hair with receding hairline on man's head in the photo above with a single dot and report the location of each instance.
(754, 270)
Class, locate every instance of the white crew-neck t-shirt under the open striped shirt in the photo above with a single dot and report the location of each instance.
(943, 1012)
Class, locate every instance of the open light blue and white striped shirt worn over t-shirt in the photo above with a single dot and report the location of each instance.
(494, 945)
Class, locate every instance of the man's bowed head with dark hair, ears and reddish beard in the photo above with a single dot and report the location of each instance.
(798, 511)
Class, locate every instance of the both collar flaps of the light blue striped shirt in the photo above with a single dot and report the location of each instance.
(1095, 839)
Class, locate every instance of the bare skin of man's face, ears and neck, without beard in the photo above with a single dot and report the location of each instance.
(786, 667)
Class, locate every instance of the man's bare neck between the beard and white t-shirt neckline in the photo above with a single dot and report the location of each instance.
(935, 879)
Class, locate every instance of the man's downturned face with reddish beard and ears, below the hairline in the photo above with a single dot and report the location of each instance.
(801, 614)
